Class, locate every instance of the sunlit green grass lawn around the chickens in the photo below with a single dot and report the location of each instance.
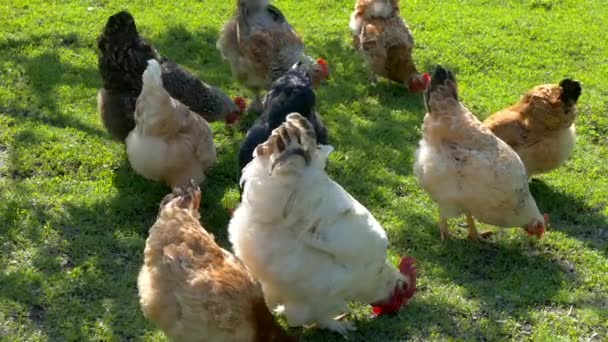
(74, 217)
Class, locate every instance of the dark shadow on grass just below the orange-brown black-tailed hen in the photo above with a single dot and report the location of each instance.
(572, 216)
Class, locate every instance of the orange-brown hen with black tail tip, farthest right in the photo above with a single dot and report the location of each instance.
(540, 127)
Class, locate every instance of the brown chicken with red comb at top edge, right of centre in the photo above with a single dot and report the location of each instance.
(386, 43)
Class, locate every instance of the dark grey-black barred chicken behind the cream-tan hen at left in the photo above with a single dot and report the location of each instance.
(122, 60)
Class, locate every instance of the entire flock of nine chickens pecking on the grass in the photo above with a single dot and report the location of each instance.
(304, 246)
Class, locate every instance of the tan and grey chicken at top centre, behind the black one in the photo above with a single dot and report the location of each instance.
(260, 46)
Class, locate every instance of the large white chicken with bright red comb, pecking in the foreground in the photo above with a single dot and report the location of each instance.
(310, 243)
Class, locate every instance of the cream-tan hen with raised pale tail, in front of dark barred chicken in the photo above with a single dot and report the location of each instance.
(169, 143)
